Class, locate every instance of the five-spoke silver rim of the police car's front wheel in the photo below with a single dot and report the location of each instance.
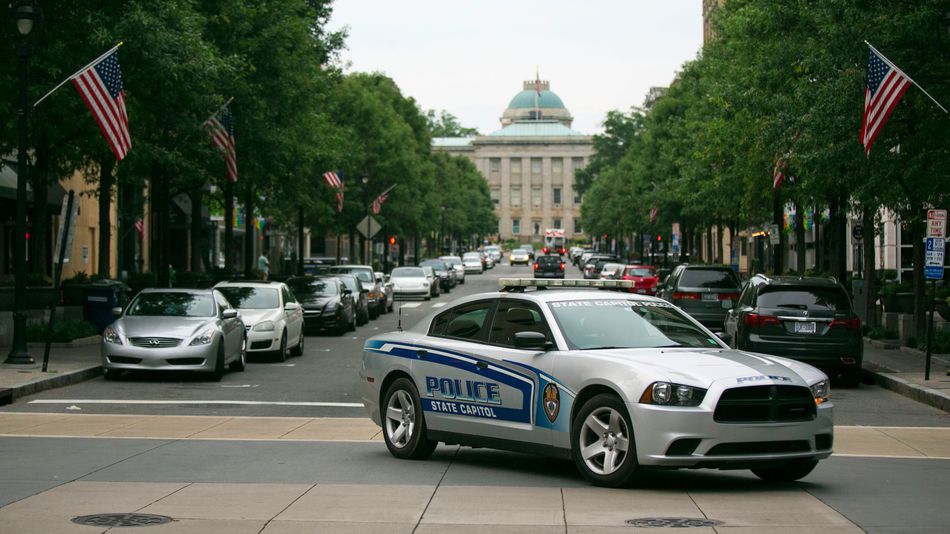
(604, 441)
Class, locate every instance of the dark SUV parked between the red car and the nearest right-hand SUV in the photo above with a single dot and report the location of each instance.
(705, 292)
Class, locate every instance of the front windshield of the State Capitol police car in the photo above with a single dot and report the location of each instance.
(616, 324)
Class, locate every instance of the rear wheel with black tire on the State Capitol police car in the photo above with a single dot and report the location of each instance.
(402, 394)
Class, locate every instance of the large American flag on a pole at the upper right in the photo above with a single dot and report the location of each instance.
(884, 85)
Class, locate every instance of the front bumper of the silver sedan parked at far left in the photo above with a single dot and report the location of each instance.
(180, 358)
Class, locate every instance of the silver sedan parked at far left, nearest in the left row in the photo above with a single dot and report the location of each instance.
(175, 329)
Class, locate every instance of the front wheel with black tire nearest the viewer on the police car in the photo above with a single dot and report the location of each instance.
(616, 465)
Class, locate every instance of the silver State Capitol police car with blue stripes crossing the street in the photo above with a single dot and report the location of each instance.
(616, 381)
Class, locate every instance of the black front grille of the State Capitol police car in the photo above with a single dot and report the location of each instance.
(765, 404)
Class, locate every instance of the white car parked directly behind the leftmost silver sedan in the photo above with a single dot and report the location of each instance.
(271, 314)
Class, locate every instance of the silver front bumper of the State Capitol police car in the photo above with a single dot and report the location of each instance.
(689, 437)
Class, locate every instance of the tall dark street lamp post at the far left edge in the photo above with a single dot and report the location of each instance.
(24, 13)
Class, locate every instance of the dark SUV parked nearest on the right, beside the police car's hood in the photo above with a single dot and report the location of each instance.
(805, 319)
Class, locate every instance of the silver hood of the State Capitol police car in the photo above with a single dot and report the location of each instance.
(703, 367)
